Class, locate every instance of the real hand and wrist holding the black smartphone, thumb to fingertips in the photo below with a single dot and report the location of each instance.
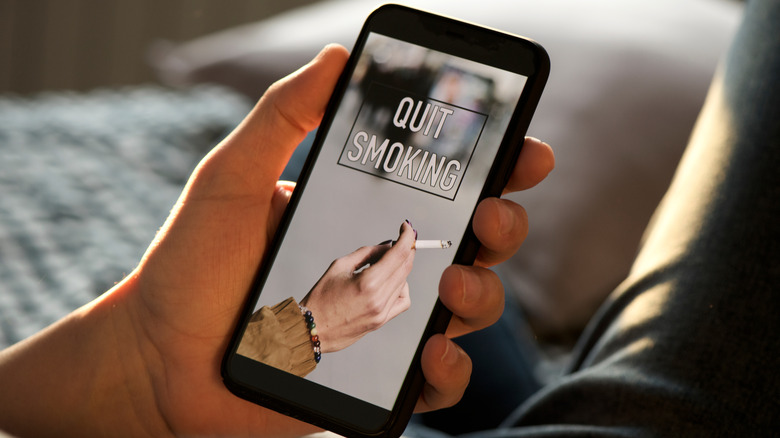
(144, 358)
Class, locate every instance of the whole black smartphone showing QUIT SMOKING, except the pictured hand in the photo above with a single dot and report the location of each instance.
(427, 119)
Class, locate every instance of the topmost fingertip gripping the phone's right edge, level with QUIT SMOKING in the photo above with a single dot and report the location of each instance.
(535, 162)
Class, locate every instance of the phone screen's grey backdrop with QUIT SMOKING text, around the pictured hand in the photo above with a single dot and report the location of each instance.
(413, 138)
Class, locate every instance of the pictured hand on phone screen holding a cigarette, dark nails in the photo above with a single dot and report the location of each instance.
(348, 305)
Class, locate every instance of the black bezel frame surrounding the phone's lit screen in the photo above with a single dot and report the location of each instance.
(317, 404)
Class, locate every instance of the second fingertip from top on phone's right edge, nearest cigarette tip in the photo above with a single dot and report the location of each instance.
(501, 226)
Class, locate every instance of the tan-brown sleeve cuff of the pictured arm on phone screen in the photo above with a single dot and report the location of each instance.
(278, 336)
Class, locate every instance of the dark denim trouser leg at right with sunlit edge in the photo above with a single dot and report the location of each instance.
(687, 345)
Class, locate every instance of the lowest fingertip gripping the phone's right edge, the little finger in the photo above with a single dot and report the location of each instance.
(447, 370)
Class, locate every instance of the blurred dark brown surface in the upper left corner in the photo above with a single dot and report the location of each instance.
(84, 44)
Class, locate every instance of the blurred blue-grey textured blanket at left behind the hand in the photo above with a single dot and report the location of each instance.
(86, 179)
